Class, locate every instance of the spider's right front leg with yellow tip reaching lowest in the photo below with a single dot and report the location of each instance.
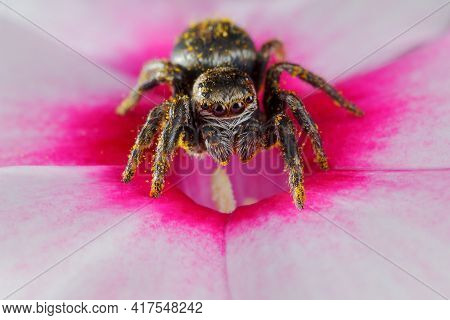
(279, 129)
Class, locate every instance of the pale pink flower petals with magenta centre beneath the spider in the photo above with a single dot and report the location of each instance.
(376, 225)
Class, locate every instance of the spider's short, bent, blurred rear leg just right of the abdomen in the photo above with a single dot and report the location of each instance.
(269, 48)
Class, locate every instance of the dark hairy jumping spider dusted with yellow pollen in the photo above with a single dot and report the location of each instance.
(215, 73)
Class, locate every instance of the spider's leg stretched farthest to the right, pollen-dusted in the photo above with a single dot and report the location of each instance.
(316, 81)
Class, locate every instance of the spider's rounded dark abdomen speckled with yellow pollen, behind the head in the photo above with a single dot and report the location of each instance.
(214, 43)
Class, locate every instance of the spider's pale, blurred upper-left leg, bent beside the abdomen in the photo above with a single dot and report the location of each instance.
(152, 74)
